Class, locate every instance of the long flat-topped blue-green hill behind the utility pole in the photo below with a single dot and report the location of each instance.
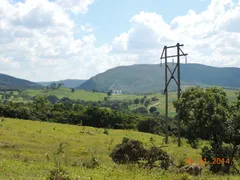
(147, 78)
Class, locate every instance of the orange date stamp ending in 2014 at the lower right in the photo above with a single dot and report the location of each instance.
(204, 161)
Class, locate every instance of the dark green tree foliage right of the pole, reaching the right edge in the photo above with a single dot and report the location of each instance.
(206, 114)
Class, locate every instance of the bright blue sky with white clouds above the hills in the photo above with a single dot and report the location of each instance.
(49, 40)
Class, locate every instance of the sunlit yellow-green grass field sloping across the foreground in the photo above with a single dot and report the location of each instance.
(27, 152)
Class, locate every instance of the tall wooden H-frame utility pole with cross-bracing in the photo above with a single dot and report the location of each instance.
(167, 81)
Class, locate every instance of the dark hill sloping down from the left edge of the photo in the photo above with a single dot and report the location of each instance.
(7, 81)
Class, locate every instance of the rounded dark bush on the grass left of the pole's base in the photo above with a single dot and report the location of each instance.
(129, 151)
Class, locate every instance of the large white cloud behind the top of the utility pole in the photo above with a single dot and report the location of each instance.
(210, 37)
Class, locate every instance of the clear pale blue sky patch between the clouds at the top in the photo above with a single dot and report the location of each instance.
(111, 17)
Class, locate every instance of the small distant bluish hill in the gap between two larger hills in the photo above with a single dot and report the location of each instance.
(69, 83)
